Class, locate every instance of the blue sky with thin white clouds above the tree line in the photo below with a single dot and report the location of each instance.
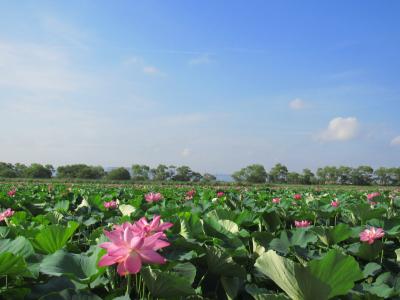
(215, 85)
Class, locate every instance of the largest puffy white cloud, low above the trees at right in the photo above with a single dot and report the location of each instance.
(340, 129)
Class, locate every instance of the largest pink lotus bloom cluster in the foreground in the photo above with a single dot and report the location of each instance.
(132, 245)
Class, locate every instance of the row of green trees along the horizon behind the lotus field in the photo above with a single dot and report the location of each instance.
(344, 175)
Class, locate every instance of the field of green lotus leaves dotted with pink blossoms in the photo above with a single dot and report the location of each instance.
(92, 241)
